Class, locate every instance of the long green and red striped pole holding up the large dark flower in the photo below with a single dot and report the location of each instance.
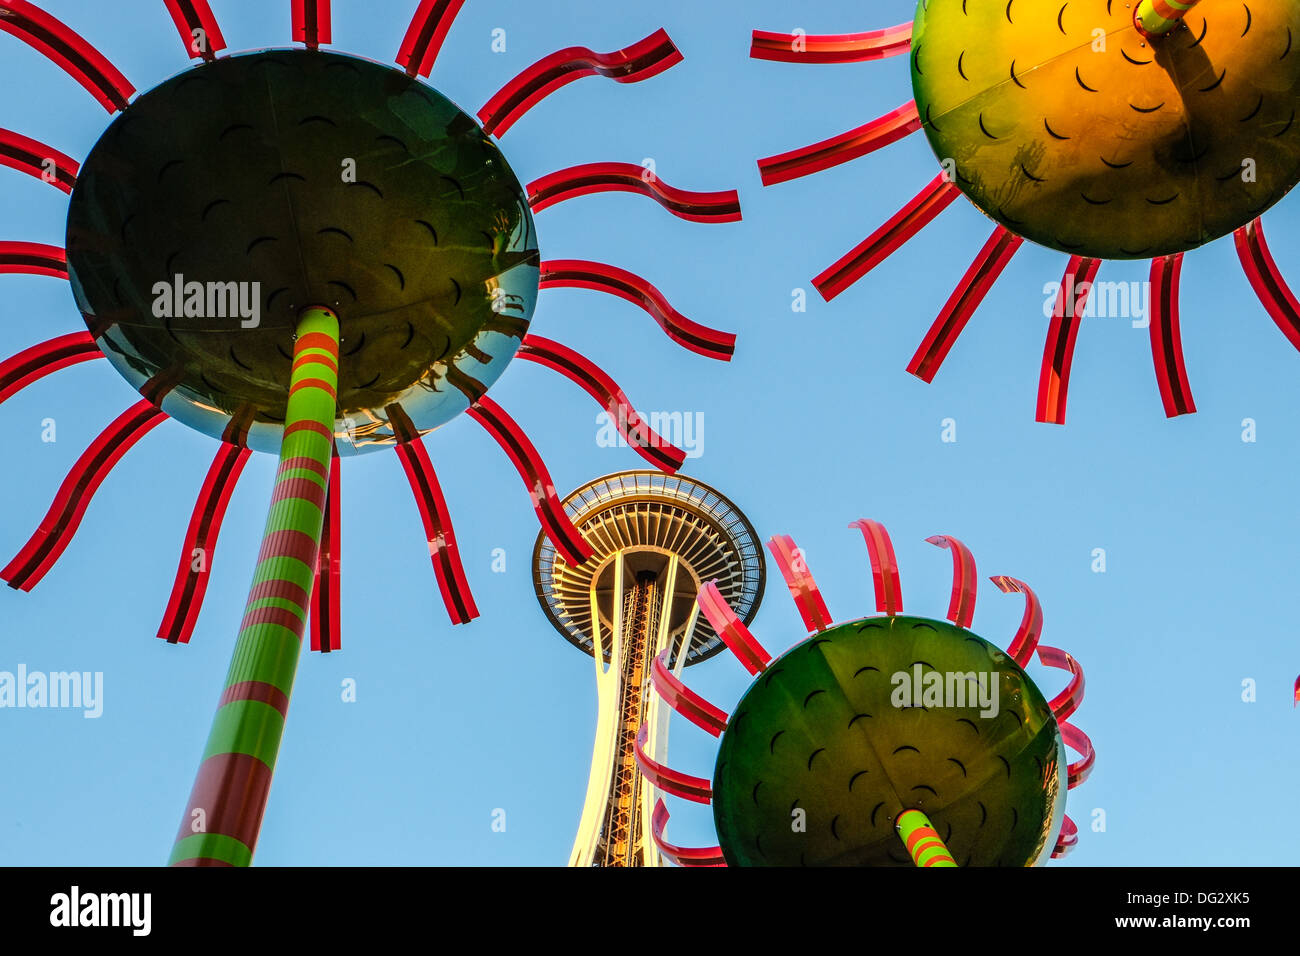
(229, 797)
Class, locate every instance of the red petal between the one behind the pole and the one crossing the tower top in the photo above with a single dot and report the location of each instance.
(439, 531)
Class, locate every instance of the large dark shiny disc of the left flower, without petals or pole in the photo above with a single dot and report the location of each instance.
(288, 179)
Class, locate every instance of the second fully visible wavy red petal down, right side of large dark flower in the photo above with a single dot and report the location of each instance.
(627, 178)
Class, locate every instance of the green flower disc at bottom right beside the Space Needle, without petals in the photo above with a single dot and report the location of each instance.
(870, 719)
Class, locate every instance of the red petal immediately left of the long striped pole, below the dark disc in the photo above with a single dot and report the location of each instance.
(201, 543)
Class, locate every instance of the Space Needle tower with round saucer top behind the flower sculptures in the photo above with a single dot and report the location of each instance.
(657, 540)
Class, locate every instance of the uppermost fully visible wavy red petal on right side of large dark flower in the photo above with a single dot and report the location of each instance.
(643, 60)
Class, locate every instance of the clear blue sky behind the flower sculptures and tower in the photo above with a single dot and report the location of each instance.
(814, 425)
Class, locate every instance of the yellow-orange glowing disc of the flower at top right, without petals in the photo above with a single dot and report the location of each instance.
(1074, 131)
